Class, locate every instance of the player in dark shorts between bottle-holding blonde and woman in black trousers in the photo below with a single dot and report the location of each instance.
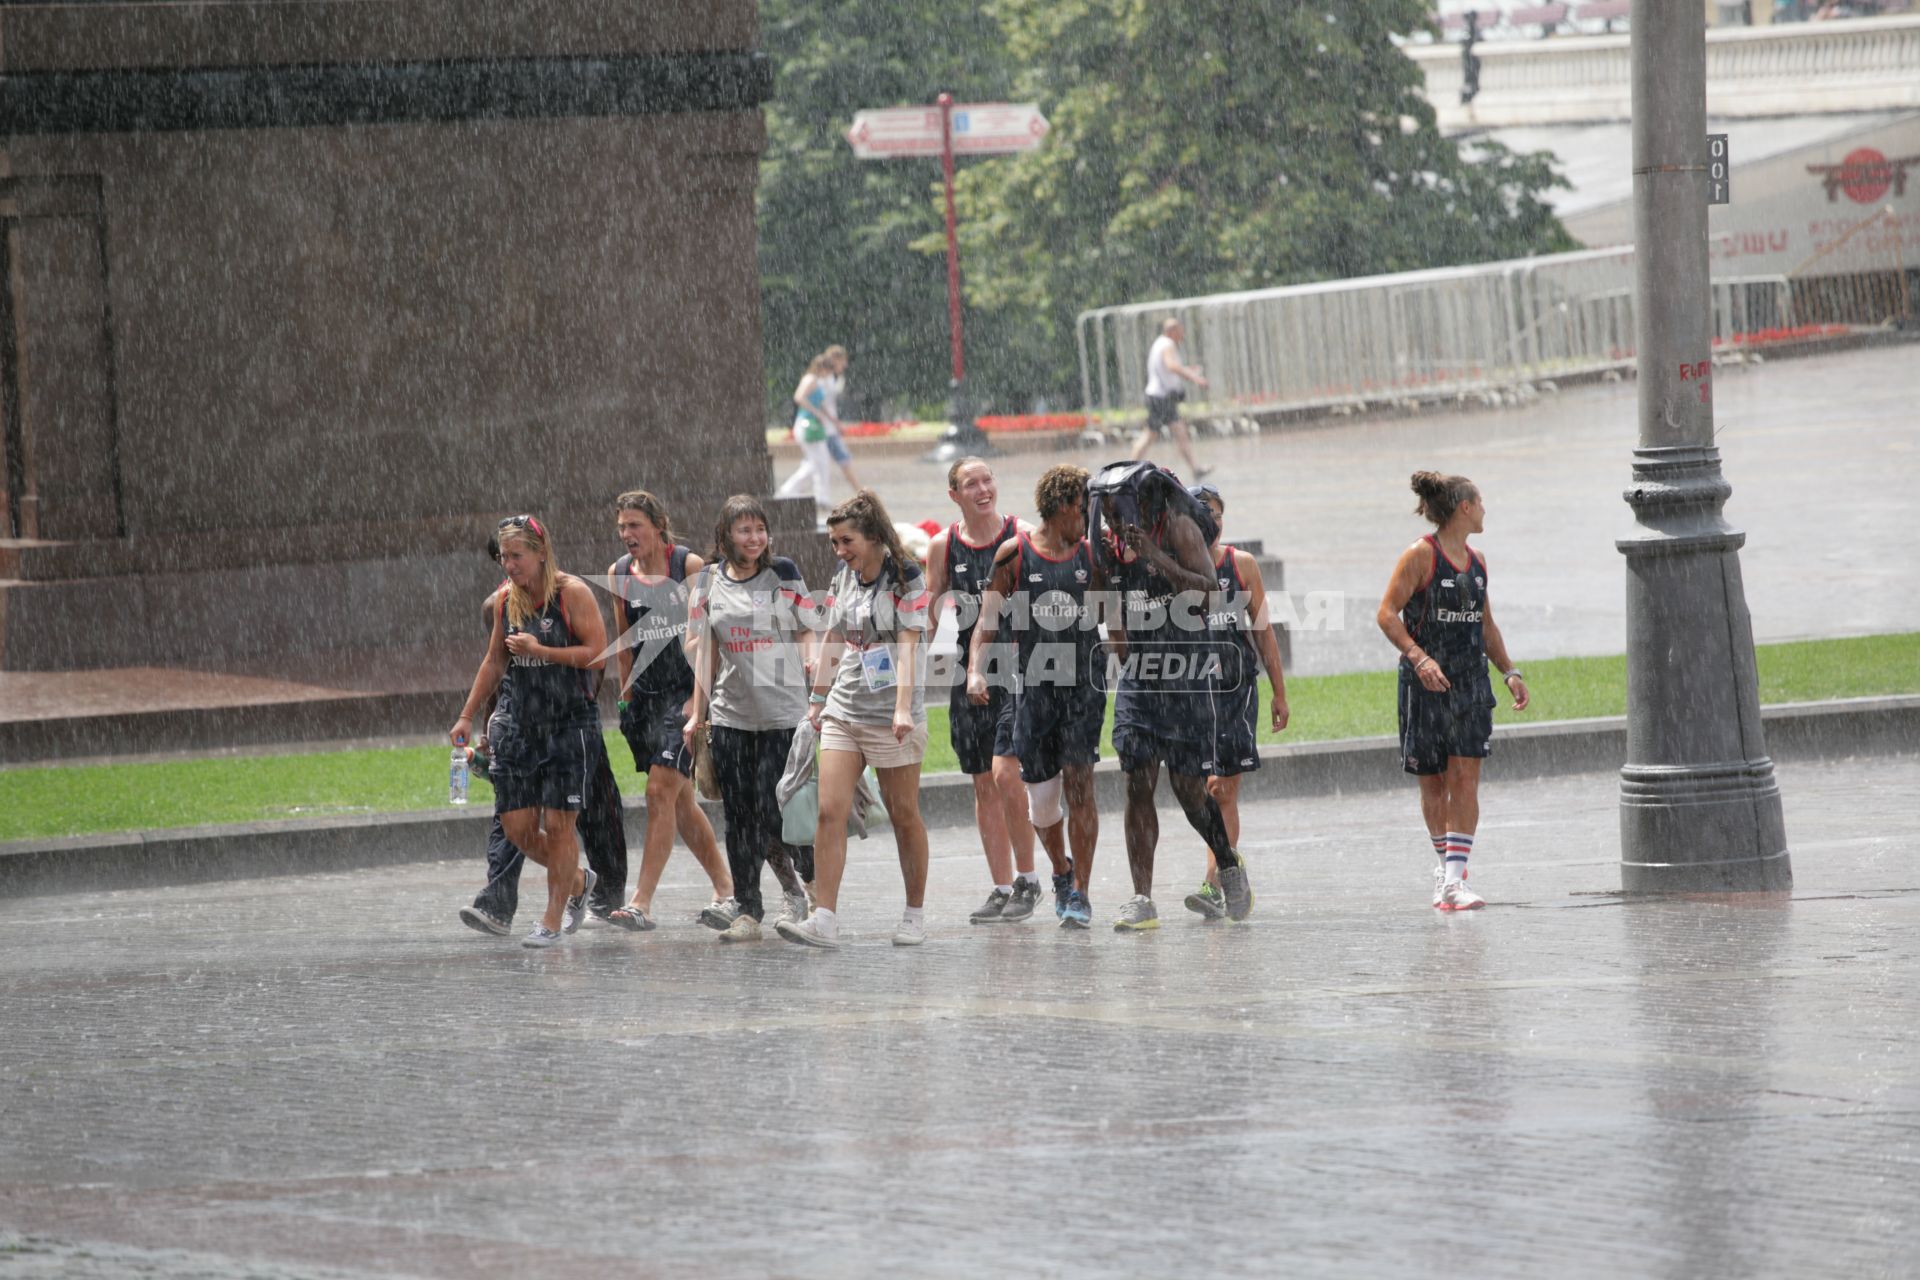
(650, 592)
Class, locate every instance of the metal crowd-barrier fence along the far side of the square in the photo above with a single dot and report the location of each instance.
(1408, 337)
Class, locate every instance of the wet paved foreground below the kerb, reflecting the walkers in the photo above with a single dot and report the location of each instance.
(308, 1076)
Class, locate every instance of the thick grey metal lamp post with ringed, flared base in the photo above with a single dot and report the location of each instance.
(1700, 809)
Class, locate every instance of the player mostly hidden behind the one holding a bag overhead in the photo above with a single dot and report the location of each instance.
(1239, 611)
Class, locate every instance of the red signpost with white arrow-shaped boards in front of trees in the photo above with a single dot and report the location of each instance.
(949, 130)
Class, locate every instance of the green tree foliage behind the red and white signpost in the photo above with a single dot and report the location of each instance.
(1197, 147)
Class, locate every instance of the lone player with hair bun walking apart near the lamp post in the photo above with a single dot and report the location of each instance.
(1437, 613)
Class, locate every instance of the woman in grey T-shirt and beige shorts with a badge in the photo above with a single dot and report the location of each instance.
(869, 705)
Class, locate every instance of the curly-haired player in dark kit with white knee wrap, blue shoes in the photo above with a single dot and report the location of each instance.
(1045, 586)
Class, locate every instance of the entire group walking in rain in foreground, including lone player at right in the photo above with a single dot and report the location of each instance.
(777, 690)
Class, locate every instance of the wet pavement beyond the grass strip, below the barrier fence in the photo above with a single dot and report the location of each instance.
(1823, 456)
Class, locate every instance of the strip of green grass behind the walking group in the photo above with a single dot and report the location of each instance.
(57, 801)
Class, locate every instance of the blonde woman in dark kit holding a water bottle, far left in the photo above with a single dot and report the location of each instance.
(546, 644)
